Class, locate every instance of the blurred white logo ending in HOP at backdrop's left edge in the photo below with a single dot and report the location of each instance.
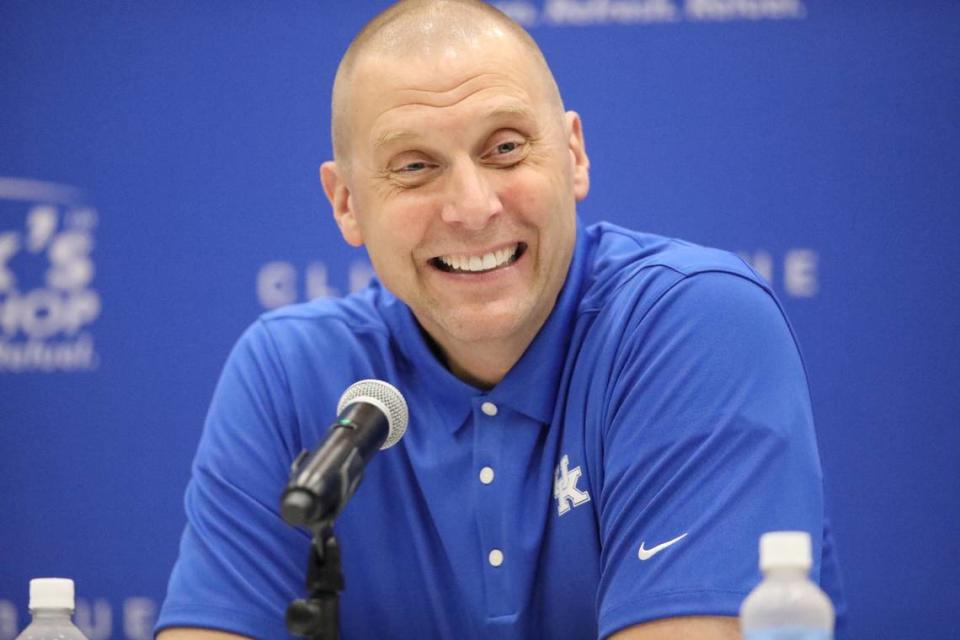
(47, 302)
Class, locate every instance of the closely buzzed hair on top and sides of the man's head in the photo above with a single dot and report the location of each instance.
(423, 29)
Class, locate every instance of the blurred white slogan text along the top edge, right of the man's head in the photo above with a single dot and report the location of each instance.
(598, 12)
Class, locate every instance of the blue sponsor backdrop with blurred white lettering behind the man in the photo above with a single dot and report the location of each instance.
(158, 190)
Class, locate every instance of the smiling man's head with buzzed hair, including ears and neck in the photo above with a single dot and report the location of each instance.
(459, 171)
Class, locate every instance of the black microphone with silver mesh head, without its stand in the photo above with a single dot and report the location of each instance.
(371, 415)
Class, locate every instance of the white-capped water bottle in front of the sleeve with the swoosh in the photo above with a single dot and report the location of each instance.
(786, 605)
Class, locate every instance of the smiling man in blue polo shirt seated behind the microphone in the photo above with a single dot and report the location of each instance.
(602, 423)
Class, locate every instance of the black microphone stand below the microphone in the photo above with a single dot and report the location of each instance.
(317, 617)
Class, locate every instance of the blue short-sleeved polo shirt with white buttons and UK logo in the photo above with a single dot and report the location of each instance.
(621, 472)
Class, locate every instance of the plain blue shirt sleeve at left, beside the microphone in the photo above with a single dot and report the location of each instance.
(238, 560)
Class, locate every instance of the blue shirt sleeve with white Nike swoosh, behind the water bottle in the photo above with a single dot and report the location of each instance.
(708, 442)
